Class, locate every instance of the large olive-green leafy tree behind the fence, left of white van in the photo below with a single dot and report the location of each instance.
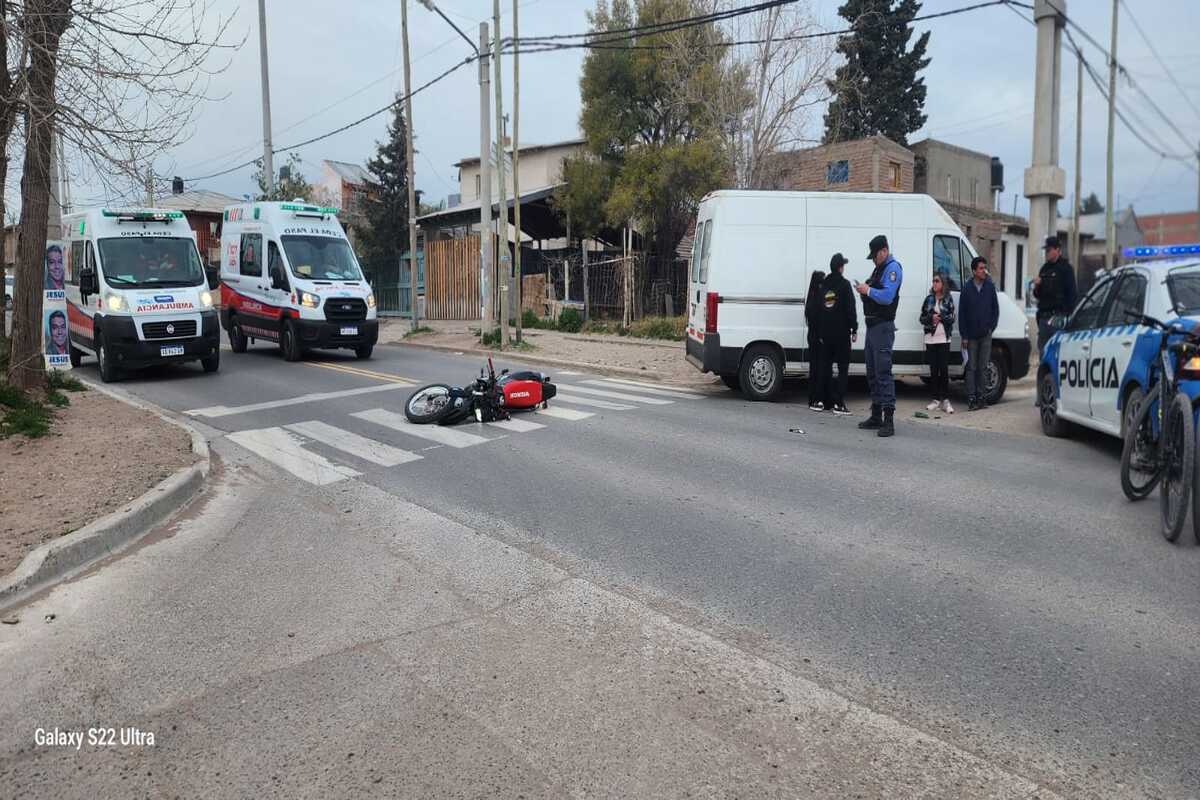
(652, 140)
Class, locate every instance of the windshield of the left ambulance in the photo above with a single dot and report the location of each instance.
(145, 262)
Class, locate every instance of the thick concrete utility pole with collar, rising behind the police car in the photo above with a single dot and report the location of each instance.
(1046, 183)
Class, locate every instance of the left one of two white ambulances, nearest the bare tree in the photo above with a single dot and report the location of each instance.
(137, 292)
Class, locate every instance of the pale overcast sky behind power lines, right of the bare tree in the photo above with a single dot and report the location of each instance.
(337, 61)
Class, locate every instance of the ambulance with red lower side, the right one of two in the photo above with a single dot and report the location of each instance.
(289, 275)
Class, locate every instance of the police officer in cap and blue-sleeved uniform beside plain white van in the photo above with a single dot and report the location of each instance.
(881, 296)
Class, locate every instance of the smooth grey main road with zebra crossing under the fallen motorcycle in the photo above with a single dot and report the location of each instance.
(995, 592)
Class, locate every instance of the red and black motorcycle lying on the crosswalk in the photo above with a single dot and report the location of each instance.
(488, 399)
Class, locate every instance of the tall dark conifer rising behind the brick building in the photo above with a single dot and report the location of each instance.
(878, 91)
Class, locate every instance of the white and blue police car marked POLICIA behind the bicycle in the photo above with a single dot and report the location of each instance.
(1095, 369)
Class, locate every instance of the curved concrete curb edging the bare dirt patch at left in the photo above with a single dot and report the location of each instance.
(75, 552)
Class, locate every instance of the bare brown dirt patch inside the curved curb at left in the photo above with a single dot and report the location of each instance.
(99, 455)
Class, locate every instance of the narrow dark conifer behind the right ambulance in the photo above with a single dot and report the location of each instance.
(386, 233)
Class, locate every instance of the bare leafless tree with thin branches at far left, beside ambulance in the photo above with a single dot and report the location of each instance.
(125, 81)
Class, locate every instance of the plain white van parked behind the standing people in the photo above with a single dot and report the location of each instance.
(755, 252)
